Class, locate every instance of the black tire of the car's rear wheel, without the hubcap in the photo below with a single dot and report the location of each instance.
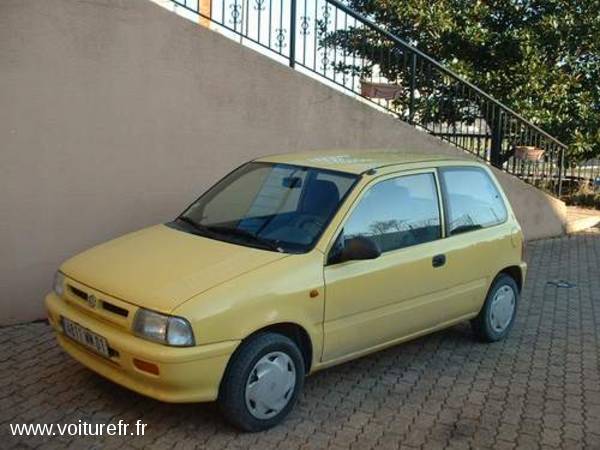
(482, 324)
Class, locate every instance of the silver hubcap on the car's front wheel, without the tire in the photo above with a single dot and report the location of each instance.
(270, 385)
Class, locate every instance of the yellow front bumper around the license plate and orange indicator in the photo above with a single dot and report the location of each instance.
(190, 374)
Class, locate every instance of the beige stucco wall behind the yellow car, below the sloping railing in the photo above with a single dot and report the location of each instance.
(115, 114)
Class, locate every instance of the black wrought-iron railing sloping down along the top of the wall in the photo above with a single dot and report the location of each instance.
(327, 39)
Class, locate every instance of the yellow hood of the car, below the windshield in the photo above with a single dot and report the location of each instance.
(159, 267)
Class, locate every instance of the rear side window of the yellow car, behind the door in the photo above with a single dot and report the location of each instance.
(472, 200)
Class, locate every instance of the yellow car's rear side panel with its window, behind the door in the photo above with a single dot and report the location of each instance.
(478, 238)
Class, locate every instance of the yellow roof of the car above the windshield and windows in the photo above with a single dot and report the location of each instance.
(359, 161)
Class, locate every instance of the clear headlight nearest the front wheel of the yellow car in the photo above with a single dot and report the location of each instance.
(169, 330)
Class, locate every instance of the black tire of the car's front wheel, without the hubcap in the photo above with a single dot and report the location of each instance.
(232, 393)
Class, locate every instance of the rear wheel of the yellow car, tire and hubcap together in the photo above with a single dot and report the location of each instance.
(497, 316)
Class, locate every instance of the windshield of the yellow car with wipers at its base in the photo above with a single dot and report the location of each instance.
(276, 207)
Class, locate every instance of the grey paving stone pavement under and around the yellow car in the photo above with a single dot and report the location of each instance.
(538, 389)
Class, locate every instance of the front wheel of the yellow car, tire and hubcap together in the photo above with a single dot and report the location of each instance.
(262, 382)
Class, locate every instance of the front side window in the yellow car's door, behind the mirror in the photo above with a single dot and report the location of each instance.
(397, 213)
